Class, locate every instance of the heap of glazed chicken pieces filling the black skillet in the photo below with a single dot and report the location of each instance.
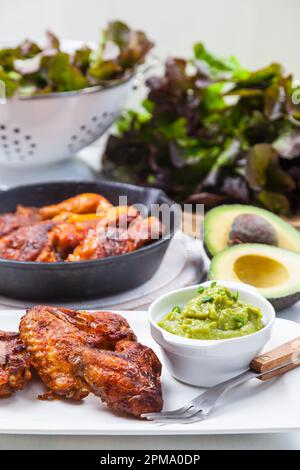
(76, 234)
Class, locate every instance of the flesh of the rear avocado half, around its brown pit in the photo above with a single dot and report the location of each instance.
(218, 223)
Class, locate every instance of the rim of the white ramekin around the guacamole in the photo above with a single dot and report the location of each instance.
(200, 343)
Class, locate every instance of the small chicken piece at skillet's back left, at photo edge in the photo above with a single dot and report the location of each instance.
(23, 217)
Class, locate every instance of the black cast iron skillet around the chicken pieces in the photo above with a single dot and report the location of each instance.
(42, 282)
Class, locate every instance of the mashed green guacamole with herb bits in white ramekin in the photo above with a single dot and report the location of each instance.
(214, 313)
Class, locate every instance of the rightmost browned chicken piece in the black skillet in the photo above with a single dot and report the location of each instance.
(112, 241)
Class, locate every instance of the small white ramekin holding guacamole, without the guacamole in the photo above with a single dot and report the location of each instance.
(205, 363)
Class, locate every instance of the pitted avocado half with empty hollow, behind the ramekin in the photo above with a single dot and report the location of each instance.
(274, 271)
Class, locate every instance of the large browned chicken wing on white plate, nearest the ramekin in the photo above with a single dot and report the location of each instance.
(77, 352)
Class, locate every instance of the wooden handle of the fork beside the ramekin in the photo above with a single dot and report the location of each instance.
(288, 352)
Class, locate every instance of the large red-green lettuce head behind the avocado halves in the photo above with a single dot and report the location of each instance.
(212, 131)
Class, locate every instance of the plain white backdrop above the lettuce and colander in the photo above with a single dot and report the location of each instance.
(257, 31)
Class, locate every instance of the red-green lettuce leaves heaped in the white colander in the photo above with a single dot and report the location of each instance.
(29, 69)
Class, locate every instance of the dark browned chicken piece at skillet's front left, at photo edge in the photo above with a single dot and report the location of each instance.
(25, 243)
